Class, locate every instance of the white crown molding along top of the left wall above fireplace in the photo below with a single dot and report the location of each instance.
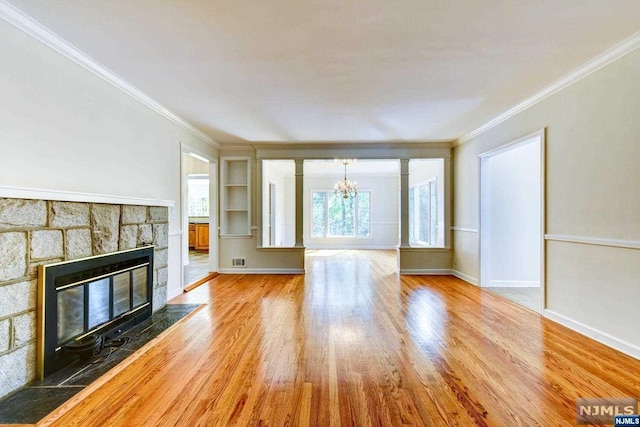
(25, 23)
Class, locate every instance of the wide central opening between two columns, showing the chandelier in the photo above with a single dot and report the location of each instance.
(366, 219)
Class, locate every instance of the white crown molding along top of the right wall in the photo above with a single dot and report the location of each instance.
(600, 61)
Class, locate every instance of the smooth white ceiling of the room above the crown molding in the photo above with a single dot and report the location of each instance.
(339, 70)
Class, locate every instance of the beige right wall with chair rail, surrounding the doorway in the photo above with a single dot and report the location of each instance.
(592, 200)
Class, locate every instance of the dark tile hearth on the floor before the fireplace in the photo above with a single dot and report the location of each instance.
(31, 403)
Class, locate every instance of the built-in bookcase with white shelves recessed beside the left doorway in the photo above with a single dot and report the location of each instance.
(235, 200)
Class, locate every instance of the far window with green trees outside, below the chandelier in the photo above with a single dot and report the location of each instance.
(334, 216)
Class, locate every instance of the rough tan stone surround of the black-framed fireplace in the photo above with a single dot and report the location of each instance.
(37, 232)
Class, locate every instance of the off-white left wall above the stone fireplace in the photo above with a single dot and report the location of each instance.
(64, 129)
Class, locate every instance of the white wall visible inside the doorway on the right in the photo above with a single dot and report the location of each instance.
(510, 228)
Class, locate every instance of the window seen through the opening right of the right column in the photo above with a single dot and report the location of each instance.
(423, 213)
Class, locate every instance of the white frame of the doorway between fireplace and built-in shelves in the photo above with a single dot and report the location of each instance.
(213, 210)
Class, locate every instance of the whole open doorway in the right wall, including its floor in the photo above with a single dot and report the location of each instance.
(512, 221)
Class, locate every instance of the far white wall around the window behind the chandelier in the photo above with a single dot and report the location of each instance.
(384, 211)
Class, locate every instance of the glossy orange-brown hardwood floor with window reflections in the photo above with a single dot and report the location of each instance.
(352, 343)
